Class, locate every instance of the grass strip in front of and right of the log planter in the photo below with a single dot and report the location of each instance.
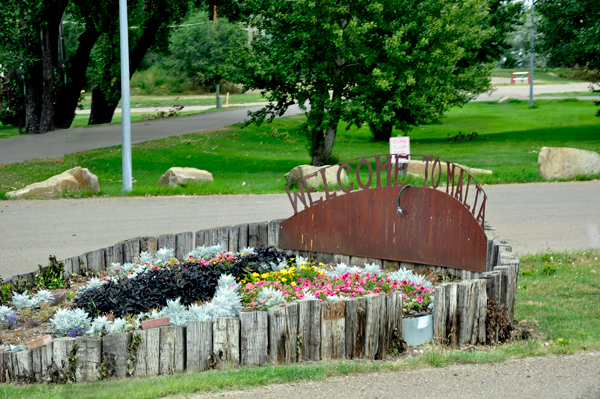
(557, 297)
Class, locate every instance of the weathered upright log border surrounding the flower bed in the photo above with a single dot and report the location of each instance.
(354, 328)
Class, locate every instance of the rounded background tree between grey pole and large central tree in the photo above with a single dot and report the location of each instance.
(201, 50)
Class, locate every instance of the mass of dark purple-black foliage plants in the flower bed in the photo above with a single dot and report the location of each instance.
(190, 281)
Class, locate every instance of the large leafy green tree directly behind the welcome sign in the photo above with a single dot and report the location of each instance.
(387, 62)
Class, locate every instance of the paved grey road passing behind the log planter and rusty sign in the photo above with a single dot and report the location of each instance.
(532, 216)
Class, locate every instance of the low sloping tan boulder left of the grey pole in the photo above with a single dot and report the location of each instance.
(73, 179)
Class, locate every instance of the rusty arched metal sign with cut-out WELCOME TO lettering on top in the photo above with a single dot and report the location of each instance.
(439, 223)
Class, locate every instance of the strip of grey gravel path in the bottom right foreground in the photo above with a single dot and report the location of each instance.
(573, 376)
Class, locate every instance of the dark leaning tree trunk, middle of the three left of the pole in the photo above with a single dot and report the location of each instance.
(76, 73)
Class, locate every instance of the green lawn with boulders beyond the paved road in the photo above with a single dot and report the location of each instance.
(509, 138)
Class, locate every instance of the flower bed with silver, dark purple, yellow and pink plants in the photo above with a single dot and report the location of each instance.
(208, 284)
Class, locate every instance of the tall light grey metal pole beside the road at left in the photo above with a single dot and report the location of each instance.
(125, 111)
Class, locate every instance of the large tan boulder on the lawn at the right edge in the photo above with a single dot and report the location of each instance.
(566, 163)
